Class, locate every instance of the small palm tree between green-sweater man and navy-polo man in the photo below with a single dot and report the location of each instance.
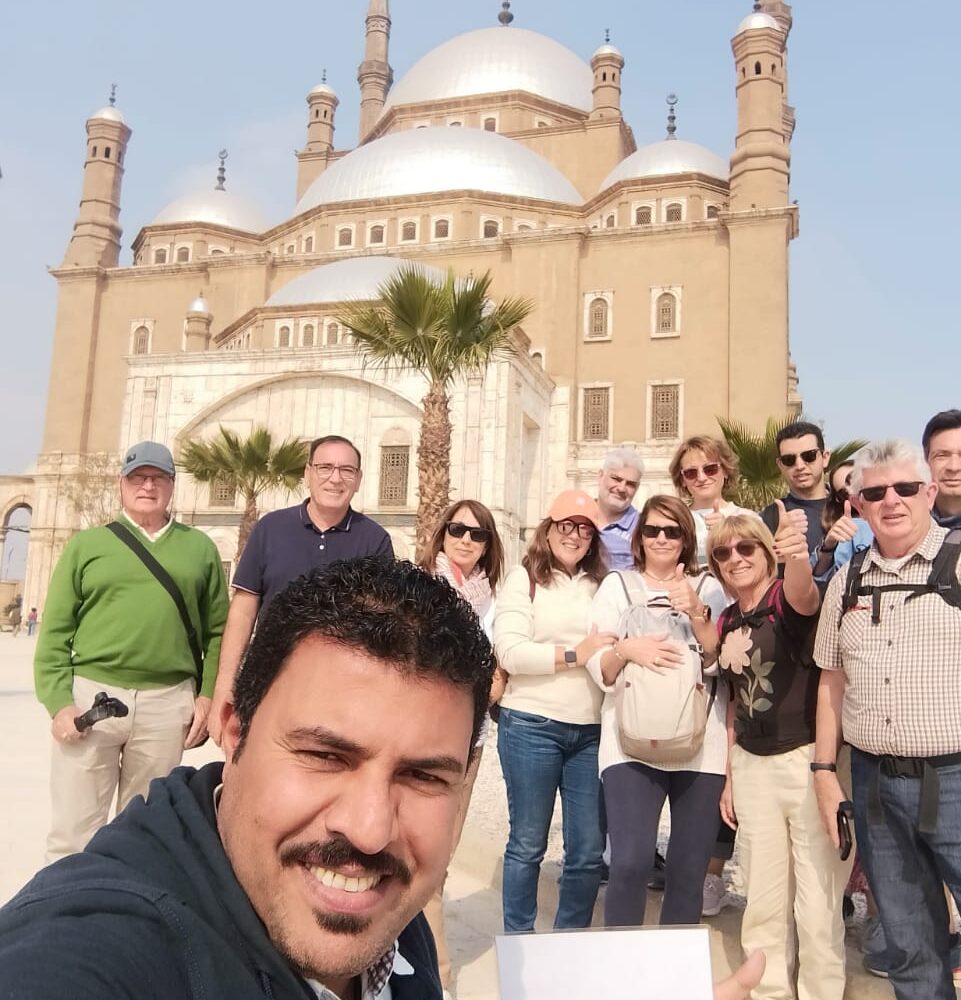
(251, 467)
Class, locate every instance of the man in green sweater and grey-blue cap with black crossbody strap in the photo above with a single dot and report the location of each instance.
(109, 625)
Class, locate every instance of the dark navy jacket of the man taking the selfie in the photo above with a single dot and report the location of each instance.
(151, 910)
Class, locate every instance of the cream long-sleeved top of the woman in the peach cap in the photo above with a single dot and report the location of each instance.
(525, 635)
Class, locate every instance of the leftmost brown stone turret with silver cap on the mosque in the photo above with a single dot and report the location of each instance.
(96, 233)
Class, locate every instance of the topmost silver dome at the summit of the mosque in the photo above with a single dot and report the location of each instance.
(493, 61)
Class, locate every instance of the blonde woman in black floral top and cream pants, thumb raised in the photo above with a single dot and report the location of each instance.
(793, 876)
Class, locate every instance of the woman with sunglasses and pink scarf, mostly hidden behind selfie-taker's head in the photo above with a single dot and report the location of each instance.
(466, 551)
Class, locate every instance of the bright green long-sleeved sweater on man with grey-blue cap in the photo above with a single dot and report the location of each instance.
(108, 619)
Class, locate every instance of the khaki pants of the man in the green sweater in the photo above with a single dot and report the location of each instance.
(116, 755)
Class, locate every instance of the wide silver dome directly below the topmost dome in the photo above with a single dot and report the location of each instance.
(432, 160)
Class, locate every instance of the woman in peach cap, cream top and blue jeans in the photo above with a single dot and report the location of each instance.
(549, 726)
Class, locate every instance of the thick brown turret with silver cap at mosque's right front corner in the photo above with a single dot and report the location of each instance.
(760, 166)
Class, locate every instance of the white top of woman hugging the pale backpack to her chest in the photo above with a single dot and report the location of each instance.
(609, 604)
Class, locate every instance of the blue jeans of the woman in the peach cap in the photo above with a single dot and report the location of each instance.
(538, 757)
